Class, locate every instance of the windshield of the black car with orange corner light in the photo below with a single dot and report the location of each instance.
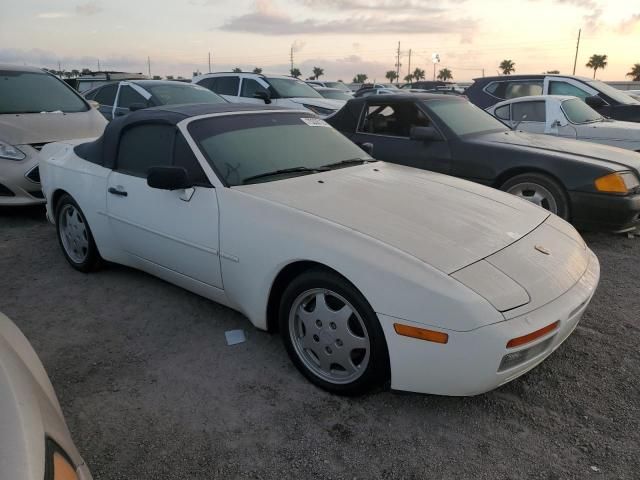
(464, 118)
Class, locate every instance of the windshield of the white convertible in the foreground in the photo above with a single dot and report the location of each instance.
(241, 147)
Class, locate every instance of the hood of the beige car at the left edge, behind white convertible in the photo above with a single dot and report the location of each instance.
(27, 128)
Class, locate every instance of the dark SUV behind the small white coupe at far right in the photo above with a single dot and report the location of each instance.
(607, 100)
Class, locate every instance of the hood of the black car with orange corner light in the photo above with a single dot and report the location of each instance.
(618, 157)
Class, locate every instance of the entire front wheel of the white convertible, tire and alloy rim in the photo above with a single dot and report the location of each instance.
(332, 334)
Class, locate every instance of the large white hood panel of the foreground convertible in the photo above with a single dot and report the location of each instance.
(446, 222)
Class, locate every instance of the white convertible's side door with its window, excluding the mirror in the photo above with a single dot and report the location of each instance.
(176, 231)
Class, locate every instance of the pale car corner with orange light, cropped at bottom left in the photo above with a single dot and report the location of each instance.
(35, 443)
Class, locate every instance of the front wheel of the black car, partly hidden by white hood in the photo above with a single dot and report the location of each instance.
(540, 189)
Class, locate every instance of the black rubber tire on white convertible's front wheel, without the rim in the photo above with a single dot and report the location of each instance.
(377, 371)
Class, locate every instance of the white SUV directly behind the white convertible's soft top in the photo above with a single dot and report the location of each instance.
(277, 90)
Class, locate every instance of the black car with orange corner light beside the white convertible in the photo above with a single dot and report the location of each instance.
(594, 186)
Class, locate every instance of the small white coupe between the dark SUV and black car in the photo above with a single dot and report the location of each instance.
(568, 117)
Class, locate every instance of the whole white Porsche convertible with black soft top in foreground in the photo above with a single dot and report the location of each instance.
(372, 272)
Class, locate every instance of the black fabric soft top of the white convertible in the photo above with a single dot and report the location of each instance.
(104, 149)
